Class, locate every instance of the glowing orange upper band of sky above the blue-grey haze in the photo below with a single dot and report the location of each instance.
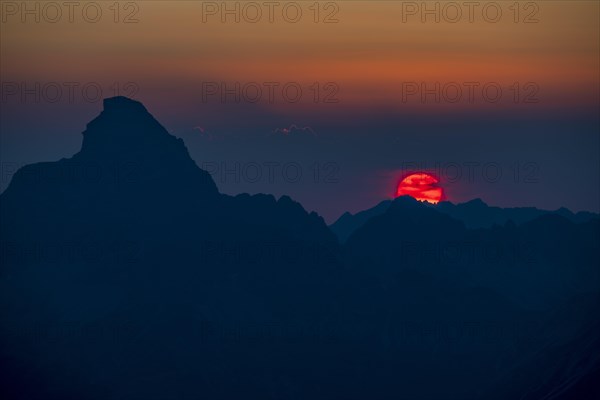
(369, 53)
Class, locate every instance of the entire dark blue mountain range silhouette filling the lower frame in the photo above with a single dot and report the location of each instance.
(126, 274)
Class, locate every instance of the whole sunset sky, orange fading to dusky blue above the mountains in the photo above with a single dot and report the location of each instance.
(366, 140)
